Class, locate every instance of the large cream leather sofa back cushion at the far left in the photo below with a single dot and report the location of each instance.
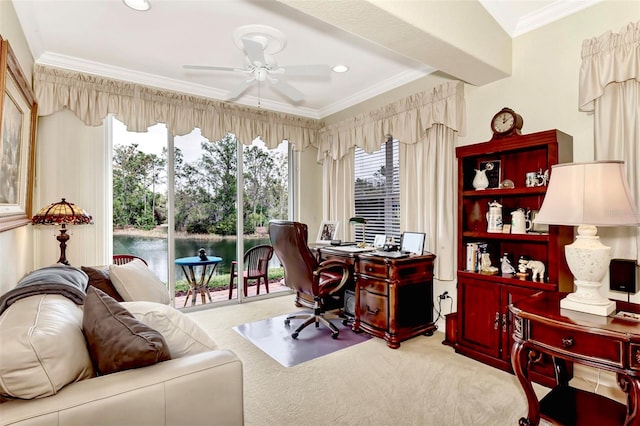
(42, 347)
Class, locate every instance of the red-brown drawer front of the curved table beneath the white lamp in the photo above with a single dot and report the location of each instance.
(585, 345)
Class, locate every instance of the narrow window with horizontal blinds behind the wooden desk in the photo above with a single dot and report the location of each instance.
(377, 190)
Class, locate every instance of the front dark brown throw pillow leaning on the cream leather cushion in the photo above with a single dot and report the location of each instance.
(117, 341)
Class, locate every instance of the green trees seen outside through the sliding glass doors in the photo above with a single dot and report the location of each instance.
(205, 189)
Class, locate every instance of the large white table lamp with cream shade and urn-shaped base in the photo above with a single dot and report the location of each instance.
(587, 195)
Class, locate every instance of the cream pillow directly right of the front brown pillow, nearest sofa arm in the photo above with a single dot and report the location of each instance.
(181, 333)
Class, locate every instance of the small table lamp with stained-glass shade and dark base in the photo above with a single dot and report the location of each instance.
(62, 213)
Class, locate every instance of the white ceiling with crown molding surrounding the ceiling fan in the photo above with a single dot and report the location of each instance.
(106, 38)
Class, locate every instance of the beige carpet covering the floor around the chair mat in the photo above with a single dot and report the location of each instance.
(421, 383)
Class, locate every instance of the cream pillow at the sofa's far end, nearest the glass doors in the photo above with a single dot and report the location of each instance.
(135, 281)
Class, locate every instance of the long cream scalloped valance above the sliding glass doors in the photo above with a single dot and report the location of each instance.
(91, 98)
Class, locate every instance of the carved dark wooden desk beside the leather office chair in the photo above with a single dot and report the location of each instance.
(394, 297)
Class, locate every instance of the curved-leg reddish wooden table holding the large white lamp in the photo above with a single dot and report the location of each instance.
(608, 343)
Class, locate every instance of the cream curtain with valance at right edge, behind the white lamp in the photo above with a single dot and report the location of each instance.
(610, 88)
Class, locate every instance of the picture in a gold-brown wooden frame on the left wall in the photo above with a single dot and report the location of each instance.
(17, 141)
